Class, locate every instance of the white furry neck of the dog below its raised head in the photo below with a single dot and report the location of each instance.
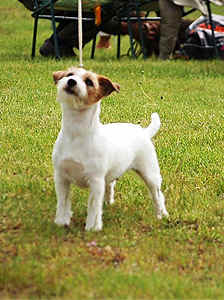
(80, 122)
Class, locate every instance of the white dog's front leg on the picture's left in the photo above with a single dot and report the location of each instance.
(63, 214)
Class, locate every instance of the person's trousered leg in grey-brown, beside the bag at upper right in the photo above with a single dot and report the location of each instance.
(170, 23)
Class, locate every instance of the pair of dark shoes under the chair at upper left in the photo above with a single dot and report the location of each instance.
(47, 49)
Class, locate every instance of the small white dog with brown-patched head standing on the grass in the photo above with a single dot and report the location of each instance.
(94, 155)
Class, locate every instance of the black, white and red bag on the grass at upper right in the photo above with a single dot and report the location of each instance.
(199, 41)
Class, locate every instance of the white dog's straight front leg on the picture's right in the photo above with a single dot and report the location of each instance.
(95, 204)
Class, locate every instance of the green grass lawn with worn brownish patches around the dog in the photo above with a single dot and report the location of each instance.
(135, 256)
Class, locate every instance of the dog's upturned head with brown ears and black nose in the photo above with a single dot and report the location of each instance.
(82, 88)
